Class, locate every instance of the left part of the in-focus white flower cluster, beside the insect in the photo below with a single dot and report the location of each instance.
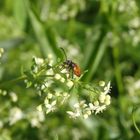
(48, 78)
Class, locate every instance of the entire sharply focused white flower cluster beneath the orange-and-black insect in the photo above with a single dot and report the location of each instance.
(56, 87)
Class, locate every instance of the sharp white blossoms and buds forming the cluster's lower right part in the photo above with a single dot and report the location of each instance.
(83, 109)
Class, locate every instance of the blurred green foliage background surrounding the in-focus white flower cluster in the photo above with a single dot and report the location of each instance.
(102, 34)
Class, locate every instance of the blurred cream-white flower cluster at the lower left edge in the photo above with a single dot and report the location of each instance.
(15, 113)
